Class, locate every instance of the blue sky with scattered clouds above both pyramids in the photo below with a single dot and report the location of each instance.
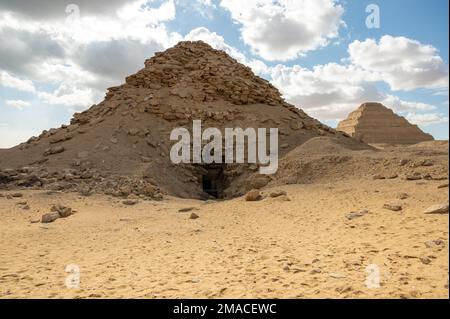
(319, 53)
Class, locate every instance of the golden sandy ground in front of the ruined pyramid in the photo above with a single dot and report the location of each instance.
(302, 248)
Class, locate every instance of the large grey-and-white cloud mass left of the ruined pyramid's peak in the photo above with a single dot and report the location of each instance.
(84, 56)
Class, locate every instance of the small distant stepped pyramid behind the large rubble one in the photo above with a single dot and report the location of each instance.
(374, 123)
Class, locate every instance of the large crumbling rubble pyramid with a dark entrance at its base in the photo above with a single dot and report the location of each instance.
(121, 146)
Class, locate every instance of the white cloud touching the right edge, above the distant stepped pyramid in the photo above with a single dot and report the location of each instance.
(403, 63)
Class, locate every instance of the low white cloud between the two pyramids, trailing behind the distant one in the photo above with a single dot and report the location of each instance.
(332, 91)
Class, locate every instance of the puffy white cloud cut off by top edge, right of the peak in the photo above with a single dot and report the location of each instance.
(285, 29)
